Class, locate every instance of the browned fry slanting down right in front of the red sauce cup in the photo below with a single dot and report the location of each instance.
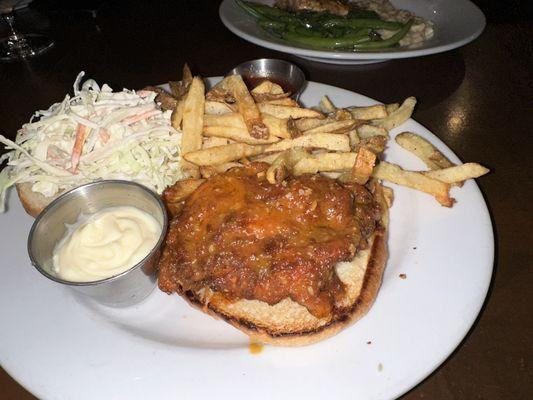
(246, 106)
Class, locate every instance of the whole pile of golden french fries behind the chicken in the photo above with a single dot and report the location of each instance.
(230, 126)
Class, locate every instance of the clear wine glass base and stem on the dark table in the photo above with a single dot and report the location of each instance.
(19, 46)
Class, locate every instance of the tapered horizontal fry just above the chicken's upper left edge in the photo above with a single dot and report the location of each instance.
(223, 154)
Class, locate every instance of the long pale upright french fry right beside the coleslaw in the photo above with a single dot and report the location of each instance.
(192, 121)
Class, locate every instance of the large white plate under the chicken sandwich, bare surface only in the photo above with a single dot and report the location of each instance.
(62, 346)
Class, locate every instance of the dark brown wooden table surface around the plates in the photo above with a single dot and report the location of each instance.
(477, 99)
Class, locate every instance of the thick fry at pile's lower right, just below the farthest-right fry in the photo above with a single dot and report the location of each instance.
(415, 180)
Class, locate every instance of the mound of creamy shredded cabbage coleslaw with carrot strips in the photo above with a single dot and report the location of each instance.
(96, 134)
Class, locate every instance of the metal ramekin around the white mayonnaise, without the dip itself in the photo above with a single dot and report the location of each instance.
(49, 228)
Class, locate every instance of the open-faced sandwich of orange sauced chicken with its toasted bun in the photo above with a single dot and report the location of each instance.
(288, 263)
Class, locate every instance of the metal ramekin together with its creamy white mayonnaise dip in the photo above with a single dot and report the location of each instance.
(102, 239)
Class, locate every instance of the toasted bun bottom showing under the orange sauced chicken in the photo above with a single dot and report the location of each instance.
(287, 323)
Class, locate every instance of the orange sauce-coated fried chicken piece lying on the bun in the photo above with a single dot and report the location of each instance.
(248, 239)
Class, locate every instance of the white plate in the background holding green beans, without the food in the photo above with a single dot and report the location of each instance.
(456, 23)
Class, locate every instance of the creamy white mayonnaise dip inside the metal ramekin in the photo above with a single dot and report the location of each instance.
(105, 244)
